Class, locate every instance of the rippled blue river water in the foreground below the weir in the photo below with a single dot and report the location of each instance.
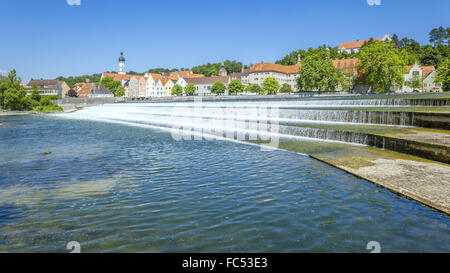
(116, 188)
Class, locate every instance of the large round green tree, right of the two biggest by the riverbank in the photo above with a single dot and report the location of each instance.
(383, 66)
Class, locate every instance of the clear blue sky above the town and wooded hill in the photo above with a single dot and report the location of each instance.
(49, 38)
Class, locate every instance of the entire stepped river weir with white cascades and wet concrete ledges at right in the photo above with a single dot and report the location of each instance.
(408, 136)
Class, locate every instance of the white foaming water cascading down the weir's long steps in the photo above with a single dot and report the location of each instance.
(253, 120)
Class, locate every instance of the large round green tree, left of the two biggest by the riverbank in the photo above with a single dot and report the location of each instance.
(318, 72)
